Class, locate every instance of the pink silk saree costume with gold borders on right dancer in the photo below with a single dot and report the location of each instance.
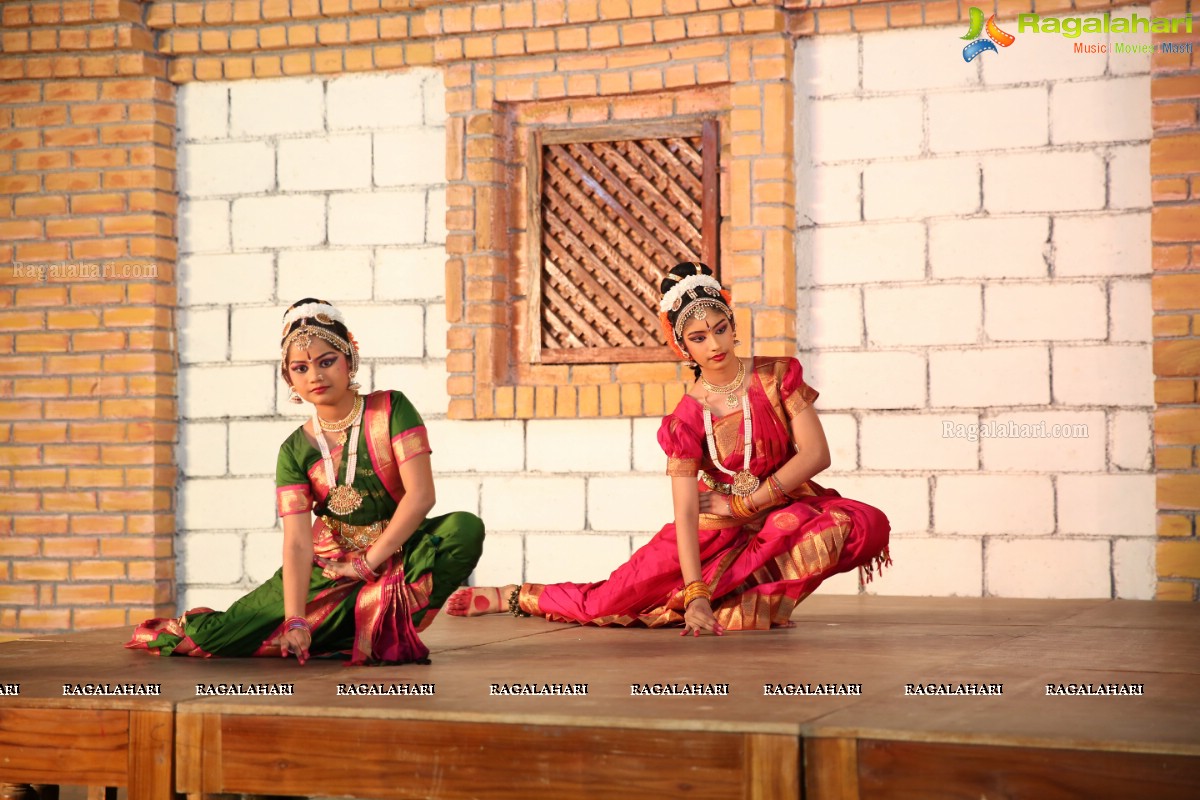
(759, 569)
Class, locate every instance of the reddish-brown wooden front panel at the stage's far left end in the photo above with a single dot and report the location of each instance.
(64, 747)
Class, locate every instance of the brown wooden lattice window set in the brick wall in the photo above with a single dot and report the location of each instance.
(614, 210)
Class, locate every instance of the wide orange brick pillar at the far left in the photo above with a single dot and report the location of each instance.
(88, 412)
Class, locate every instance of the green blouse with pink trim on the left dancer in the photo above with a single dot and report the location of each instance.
(301, 478)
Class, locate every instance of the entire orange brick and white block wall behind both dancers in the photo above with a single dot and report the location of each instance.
(88, 371)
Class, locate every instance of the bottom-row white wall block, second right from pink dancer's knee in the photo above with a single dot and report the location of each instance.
(1048, 568)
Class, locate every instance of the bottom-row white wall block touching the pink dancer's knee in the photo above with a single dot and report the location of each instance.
(929, 567)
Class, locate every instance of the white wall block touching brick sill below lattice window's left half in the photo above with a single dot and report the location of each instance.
(551, 447)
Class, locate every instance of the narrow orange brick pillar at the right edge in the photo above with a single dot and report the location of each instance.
(1175, 232)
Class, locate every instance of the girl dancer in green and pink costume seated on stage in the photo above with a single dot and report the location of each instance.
(371, 572)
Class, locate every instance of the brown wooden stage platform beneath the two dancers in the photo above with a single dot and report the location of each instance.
(467, 742)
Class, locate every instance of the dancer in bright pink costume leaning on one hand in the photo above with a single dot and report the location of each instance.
(755, 536)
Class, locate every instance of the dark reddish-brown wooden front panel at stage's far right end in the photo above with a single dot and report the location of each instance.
(910, 771)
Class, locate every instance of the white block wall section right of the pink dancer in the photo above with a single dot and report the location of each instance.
(935, 264)
